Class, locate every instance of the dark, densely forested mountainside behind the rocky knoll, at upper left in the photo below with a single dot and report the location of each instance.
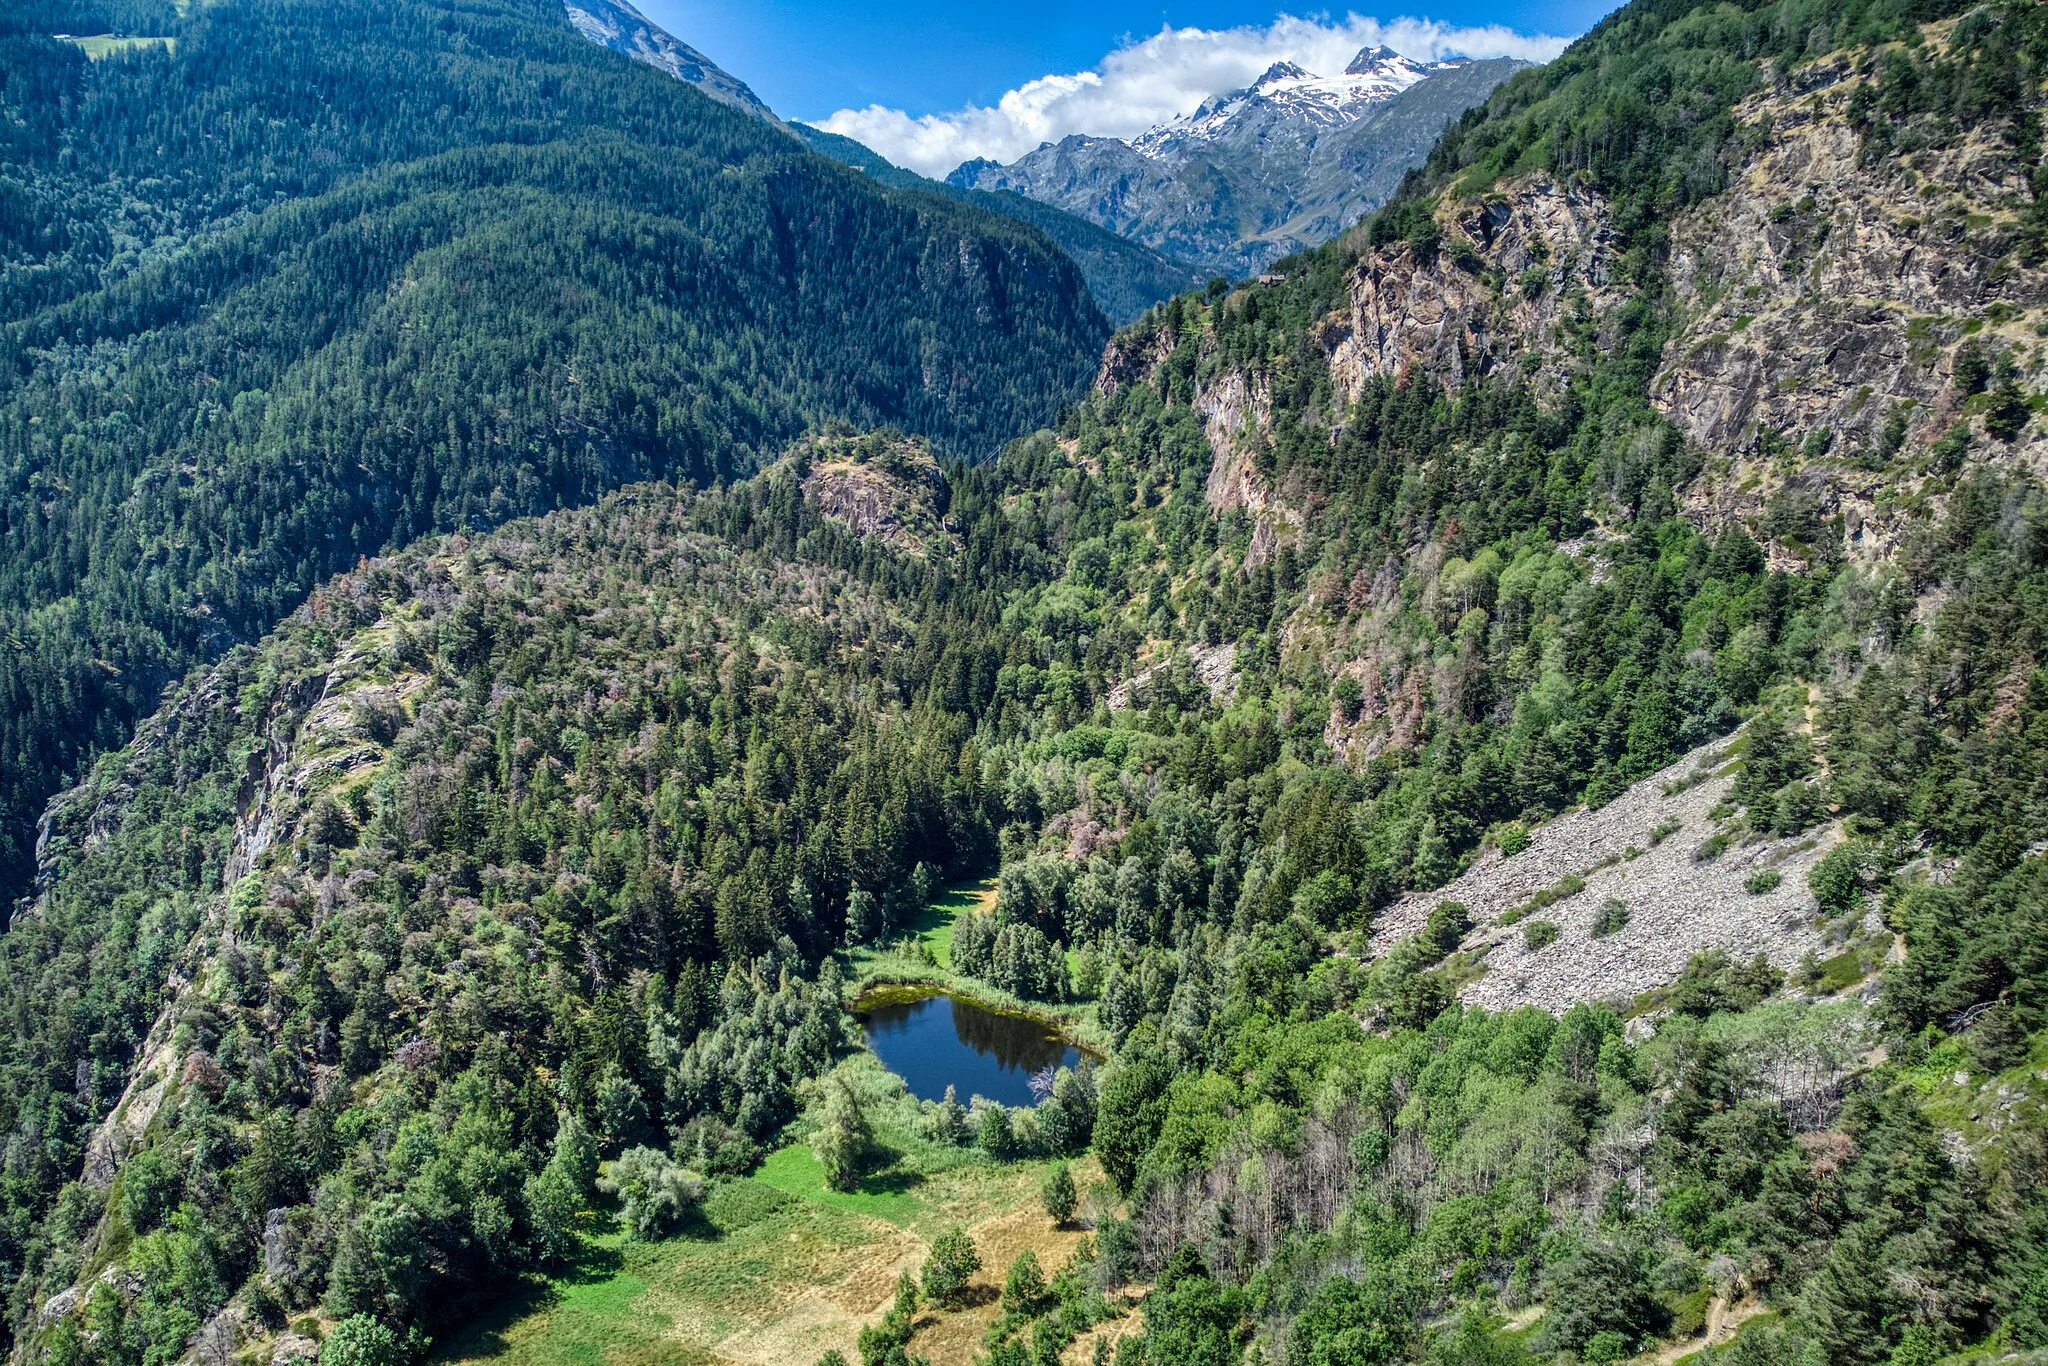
(318, 280)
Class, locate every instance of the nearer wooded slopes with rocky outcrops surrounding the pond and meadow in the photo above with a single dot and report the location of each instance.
(529, 849)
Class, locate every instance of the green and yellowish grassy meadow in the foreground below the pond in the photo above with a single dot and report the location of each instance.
(779, 1269)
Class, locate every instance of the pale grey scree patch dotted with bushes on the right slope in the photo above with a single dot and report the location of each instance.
(1639, 851)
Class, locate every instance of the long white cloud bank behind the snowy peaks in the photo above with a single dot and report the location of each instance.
(1158, 79)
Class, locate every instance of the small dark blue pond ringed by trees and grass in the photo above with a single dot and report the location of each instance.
(937, 1041)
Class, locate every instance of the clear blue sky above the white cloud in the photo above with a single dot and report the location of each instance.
(812, 58)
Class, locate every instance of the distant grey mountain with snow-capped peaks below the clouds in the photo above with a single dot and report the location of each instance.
(1263, 173)
